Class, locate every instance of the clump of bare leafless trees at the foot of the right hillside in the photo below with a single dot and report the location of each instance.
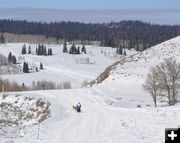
(165, 78)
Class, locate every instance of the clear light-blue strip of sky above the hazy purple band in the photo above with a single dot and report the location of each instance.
(92, 4)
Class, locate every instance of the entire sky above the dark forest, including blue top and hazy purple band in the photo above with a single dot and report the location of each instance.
(154, 11)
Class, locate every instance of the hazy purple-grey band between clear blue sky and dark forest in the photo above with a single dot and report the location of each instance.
(92, 16)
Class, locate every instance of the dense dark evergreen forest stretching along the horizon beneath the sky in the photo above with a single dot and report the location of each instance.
(127, 34)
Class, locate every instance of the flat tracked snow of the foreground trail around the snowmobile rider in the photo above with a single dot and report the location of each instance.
(101, 123)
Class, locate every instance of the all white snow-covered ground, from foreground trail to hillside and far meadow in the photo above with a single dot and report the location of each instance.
(109, 110)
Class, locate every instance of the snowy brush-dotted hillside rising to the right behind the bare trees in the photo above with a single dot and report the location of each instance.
(125, 81)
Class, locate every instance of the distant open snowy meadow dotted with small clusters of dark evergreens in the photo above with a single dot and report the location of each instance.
(61, 66)
